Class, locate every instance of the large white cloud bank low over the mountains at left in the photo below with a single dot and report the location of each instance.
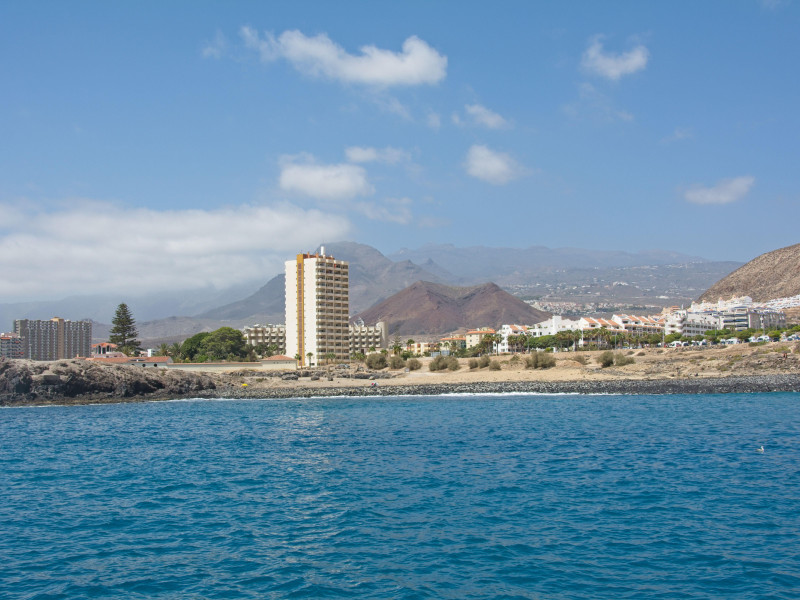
(95, 247)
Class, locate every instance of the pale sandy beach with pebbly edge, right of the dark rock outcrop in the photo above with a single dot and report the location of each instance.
(770, 366)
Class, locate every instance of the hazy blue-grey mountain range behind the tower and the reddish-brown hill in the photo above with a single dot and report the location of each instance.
(375, 277)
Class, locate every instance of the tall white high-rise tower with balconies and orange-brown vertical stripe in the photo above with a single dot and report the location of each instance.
(317, 308)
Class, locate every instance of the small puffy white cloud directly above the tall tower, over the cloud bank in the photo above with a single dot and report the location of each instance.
(324, 182)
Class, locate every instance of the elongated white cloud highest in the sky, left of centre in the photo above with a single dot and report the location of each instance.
(319, 56)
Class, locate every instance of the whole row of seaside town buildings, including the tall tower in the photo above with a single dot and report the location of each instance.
(319, 330)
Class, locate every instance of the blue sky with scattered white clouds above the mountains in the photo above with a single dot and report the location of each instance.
(153, 145)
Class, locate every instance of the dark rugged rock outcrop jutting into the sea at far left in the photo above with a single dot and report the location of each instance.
(25, 382)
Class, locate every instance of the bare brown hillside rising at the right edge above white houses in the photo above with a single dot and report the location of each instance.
(772, 275)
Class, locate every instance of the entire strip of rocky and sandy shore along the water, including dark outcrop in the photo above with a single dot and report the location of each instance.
(27, 383)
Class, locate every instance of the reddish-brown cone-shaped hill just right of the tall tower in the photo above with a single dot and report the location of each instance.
(433, 308)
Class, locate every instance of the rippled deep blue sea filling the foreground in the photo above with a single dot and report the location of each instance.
(546, 497)
